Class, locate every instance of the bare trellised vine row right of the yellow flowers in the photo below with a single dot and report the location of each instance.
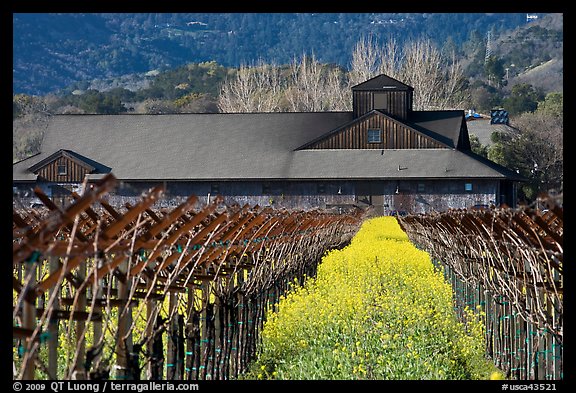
(508, 262)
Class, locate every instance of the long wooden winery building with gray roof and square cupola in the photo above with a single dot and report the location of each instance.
(381, 154)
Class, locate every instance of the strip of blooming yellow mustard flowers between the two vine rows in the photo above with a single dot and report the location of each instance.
(377, 309)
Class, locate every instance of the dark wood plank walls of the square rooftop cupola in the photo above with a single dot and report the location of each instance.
(397, 103)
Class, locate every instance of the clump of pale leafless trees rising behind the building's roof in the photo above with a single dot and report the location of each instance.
(312, 86)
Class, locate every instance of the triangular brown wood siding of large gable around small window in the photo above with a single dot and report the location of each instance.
(394, 136)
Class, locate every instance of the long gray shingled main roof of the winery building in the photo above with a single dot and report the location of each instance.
(237, 146)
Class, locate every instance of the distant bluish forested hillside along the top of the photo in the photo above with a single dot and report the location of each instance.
(52, 51)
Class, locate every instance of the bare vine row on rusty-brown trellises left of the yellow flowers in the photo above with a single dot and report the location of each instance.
(140, 291)
